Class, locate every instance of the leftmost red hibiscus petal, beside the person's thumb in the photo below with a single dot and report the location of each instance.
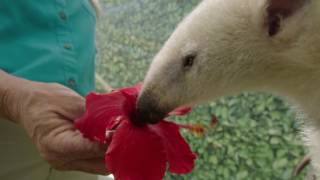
(104, 111)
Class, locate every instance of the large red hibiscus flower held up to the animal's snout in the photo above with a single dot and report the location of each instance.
(135, 152)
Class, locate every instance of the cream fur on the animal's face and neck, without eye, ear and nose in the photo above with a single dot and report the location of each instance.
(236, 54)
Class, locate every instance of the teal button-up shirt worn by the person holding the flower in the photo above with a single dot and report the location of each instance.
(49, 41)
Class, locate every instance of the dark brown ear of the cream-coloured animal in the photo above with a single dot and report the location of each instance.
(278, 10)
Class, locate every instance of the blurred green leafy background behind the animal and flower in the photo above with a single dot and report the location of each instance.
(257, 136)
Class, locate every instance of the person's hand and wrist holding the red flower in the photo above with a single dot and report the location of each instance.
(47, 112)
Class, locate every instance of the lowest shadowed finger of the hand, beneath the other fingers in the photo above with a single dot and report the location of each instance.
(93, 166)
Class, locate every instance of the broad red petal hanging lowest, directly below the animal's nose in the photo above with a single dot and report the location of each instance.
(136, 153)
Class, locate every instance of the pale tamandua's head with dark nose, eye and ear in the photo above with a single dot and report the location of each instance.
(227, 46)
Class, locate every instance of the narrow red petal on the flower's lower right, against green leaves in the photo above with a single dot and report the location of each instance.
(179, 155)
